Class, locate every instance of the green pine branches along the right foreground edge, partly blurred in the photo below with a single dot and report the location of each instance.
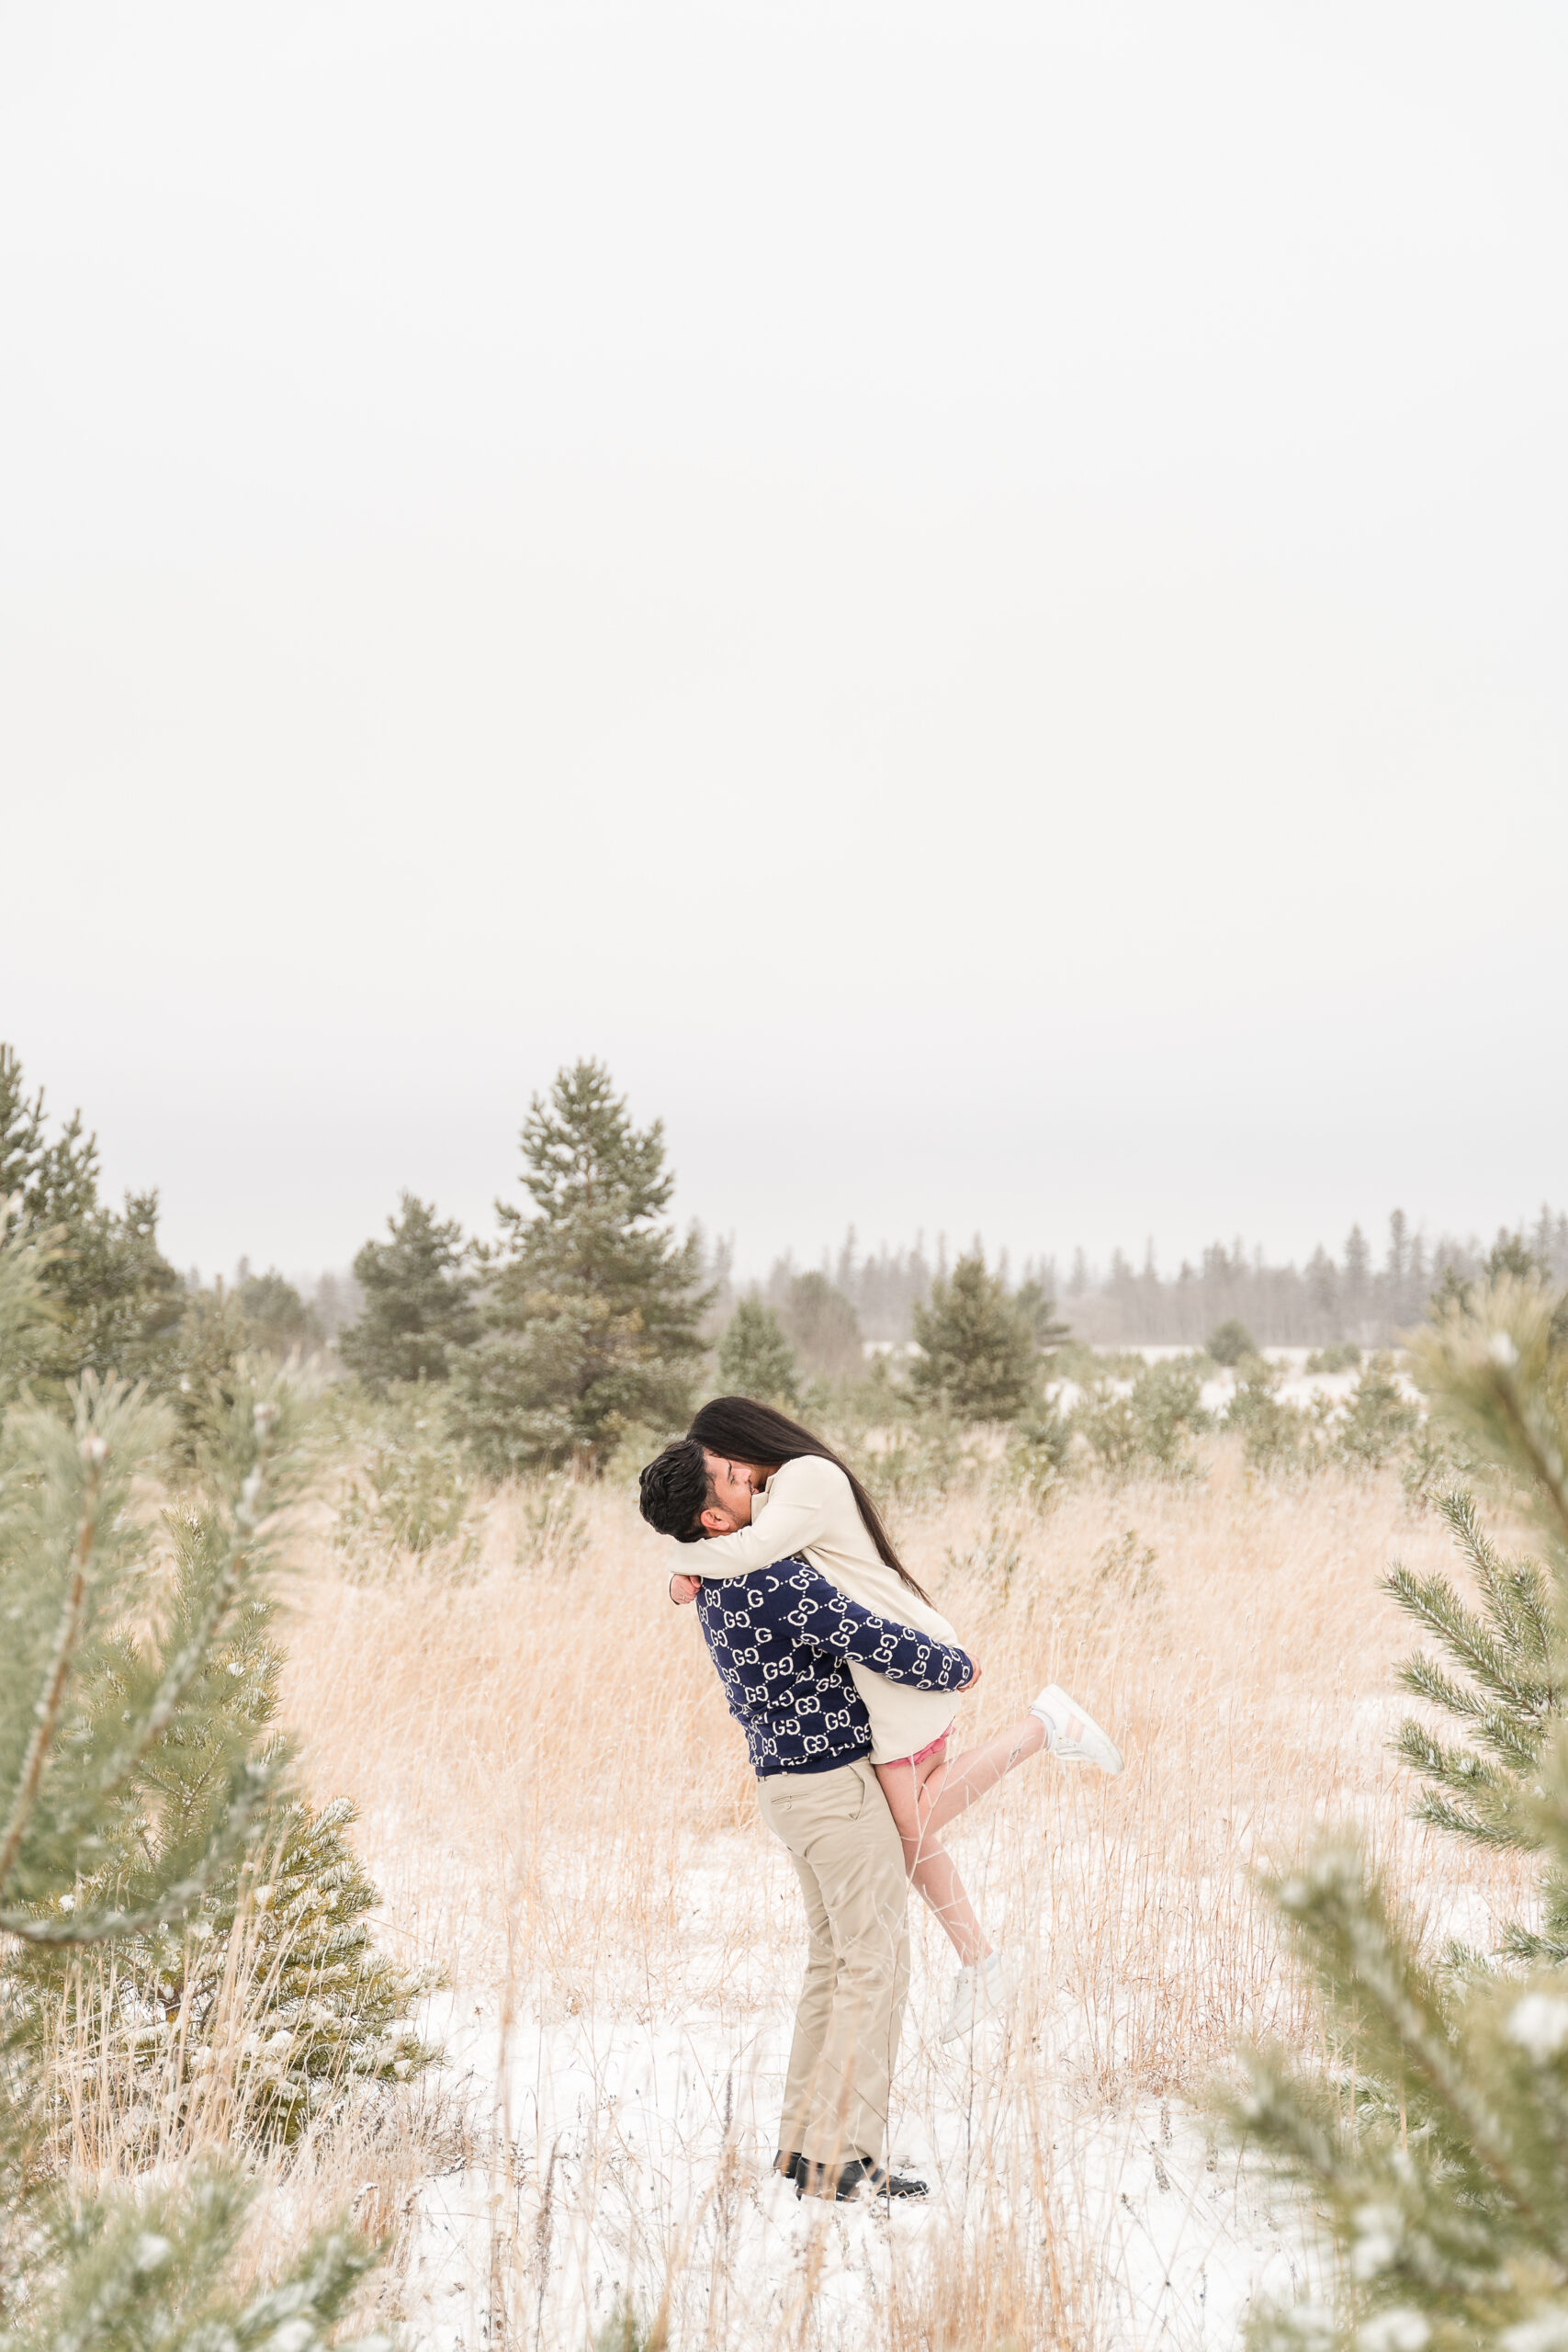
(1438, 2151)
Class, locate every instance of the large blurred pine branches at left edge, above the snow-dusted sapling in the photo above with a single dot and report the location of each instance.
(83, 1711)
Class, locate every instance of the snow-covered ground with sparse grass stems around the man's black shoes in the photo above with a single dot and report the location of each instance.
(657, 2149)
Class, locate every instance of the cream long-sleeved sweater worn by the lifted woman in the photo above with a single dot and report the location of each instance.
(810, 1509)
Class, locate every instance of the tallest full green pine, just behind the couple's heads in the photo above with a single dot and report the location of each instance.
(596, 1307)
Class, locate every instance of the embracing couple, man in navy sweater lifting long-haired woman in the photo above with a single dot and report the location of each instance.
(845, 1681)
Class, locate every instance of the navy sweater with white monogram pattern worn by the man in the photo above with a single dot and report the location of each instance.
(782, 1643)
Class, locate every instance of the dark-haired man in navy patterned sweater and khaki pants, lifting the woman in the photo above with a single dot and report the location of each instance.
(782, 1643)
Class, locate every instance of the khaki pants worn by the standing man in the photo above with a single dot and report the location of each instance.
(850, 2017)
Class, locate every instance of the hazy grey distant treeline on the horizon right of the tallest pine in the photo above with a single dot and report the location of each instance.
(1358, 1297)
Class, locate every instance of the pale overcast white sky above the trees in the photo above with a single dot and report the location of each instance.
(974, 596)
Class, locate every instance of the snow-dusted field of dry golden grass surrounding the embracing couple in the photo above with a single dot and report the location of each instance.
(561, 1817)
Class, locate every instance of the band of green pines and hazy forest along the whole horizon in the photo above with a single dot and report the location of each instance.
(587, 1325)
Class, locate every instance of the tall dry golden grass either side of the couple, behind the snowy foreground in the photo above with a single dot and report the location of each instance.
(542, 1760)
